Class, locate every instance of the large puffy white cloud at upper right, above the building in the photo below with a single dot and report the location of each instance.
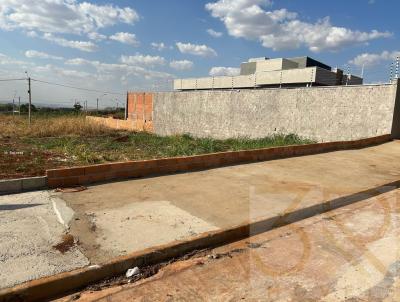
(282, 29)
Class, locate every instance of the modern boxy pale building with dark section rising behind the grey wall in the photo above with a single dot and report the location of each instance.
(271, 73)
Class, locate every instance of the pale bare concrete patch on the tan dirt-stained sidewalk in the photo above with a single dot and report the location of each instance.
(138, 226)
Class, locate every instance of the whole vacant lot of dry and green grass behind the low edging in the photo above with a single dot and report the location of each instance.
(65, 141)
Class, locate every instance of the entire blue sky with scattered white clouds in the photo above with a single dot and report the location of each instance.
(143, 45)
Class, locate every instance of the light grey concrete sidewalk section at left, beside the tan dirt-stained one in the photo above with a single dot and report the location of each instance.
(29, 230)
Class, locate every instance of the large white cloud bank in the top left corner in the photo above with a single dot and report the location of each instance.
(62, 16)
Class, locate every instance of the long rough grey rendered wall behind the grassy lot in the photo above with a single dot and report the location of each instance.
(338, 113)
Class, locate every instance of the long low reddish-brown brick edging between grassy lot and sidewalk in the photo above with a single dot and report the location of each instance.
(133, 169)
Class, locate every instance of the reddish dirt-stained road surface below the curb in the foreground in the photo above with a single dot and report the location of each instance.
(349, 254)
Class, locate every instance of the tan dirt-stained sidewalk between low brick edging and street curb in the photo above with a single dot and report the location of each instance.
(223, 197)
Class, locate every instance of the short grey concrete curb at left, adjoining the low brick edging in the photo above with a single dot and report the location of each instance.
(9, 186)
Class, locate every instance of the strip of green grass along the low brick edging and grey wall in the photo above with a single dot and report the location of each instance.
(135, 146)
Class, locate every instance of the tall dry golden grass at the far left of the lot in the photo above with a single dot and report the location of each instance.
(50, 126)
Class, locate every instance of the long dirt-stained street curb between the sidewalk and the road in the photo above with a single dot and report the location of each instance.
(47, 288)
